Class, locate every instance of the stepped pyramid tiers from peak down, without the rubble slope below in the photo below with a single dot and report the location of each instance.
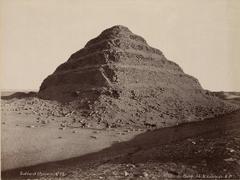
(115, 61)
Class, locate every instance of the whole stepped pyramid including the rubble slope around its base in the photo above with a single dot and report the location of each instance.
(117, 79)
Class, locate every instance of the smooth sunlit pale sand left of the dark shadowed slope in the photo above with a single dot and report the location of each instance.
(26, 143)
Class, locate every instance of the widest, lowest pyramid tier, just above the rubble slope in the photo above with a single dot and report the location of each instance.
(115, 76)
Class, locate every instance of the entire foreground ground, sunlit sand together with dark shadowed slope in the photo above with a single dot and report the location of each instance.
(30, 149)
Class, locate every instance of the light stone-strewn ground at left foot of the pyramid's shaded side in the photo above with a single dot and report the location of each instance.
(44, 111)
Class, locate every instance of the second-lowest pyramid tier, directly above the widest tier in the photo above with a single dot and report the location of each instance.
(131, 58)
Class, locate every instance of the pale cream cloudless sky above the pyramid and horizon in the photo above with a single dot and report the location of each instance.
(202, 36)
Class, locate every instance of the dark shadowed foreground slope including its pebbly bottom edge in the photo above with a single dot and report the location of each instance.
(205, 150)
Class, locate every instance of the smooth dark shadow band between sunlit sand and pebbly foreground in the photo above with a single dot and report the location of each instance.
(144, 141)
